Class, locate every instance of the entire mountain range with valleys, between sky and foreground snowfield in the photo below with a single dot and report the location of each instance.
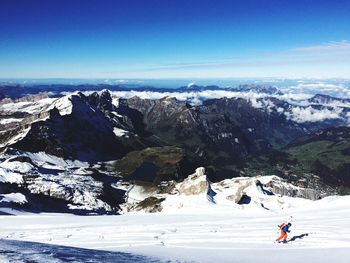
(71, 152)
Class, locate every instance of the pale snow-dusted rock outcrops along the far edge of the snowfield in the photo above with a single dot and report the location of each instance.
(265, 192)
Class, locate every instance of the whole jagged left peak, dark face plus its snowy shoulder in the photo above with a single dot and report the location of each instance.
(88, 132)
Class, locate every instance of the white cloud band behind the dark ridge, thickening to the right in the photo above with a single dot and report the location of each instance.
(300, 109)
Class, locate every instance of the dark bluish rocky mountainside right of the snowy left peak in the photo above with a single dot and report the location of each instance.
(224, 133)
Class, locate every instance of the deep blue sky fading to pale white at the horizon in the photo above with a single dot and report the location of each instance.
(174, 39)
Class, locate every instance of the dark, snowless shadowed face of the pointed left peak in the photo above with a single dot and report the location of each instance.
(84, 135)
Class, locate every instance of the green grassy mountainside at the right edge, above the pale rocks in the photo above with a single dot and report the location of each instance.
(321, 159)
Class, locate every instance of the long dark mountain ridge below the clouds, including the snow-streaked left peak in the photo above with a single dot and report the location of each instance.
(221, 133)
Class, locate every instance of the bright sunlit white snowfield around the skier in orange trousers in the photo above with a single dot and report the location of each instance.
(320, 233)
